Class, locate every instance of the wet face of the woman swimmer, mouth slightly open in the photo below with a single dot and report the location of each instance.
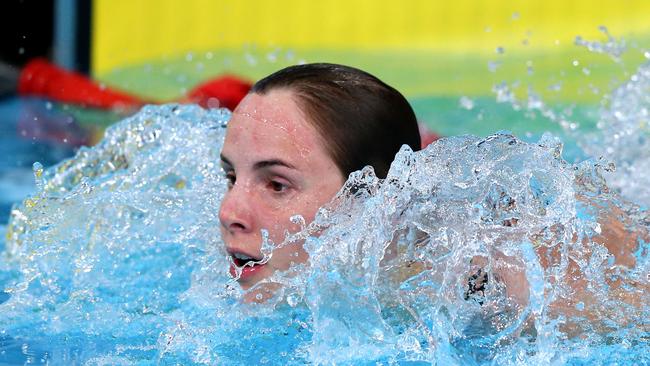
(277, 167)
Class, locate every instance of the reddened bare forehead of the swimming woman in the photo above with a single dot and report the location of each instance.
(271, 124)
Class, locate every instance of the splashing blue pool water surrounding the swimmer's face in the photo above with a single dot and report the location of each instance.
(116, 257)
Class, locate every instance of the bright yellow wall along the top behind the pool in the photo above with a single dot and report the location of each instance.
(128, 32)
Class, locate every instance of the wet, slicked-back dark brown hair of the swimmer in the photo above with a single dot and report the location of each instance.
(362, 120)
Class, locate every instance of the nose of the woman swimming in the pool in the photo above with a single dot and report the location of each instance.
(235, 211)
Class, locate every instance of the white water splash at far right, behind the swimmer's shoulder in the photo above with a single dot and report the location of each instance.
(622, 136)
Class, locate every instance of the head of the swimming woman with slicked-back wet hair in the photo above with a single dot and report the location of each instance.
(289, 147)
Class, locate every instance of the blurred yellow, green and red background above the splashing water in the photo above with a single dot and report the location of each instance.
(70, 68)
